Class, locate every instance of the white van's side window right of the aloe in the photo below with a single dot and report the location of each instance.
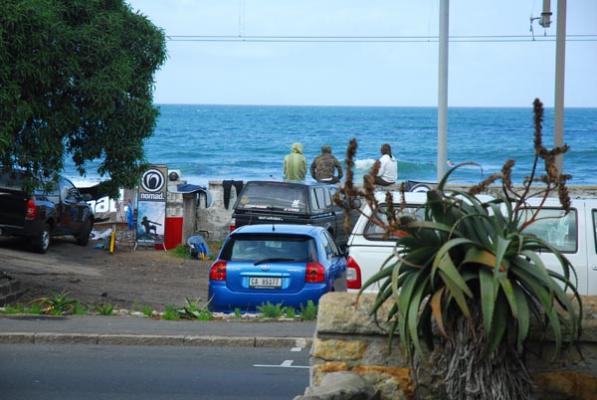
(555, 227)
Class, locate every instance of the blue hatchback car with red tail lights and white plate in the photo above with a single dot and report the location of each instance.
(287, 264)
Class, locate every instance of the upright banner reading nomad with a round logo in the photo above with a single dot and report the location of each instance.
(151, 205)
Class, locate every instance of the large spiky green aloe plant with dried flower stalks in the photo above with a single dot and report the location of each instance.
(470, 271)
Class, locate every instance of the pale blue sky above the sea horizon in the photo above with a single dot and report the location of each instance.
(387, 74)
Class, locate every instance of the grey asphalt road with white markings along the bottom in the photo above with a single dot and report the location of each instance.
(138, 372)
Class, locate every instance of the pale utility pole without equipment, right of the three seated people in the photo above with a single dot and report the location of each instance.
(442, 98)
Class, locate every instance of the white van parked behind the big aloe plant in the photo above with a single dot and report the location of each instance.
(575, 234)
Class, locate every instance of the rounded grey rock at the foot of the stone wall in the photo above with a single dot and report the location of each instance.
(341, 386)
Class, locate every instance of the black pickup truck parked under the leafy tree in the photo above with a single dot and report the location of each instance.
(41, 214)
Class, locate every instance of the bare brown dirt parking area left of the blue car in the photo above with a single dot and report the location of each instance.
(94, 276)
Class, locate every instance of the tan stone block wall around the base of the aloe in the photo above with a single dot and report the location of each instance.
(347, 338)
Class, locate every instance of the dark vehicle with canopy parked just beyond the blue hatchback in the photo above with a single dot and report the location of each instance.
(270, 202)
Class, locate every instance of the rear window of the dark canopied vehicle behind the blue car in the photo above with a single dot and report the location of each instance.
(273, 197)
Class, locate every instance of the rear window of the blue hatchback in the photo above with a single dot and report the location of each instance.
(270, 247)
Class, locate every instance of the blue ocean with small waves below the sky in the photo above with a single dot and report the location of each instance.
(207, 142)
